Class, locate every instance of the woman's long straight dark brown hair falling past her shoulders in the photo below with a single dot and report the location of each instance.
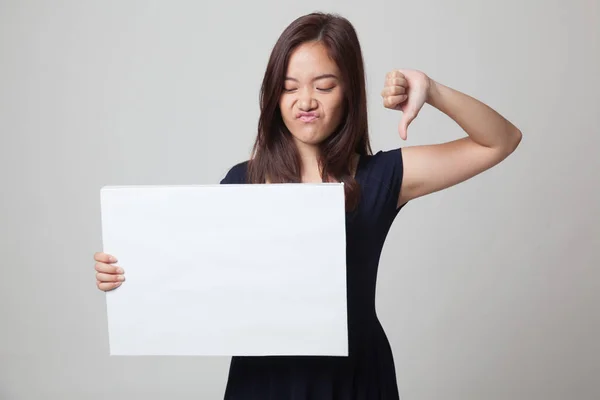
(274, 153)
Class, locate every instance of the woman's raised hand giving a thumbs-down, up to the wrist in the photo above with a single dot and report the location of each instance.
(407, 91)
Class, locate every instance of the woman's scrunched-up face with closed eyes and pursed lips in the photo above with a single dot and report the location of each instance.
(312, 101)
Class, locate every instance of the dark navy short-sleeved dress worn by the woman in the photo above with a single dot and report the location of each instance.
(368, 373)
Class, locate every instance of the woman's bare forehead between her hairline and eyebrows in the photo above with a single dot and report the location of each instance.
(309, 60)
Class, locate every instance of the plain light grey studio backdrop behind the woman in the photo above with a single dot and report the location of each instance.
(488, 290)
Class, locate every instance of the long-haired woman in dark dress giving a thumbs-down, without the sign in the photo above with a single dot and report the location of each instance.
(313, 128)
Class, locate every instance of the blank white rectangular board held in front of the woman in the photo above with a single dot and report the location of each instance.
(227, 269)
